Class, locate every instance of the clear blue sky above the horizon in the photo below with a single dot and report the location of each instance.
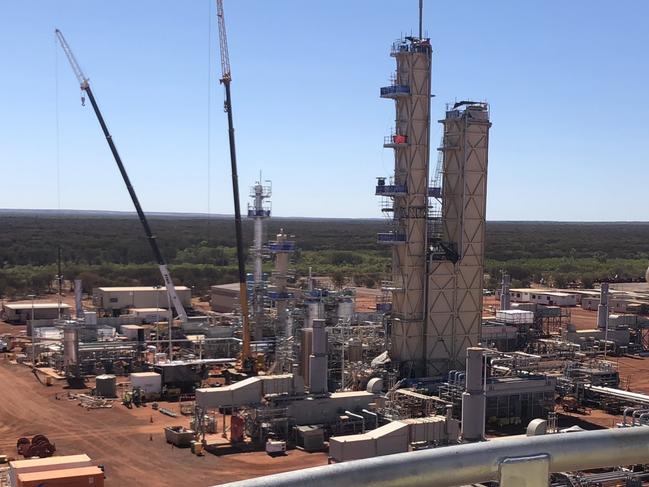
(567, 83)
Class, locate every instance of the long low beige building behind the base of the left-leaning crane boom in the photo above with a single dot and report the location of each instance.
(117, 299)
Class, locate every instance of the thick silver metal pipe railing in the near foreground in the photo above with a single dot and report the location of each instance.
(518, 462)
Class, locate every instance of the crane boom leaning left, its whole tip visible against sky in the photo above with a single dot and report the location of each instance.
(85, 86)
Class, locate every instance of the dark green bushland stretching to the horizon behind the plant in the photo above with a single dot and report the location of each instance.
(112, 250)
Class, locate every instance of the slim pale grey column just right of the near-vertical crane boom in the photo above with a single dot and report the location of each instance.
(258, 211)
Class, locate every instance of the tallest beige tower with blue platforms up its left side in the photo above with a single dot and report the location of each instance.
(408, 198)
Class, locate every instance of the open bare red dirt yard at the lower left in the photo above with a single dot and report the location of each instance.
(119, 438)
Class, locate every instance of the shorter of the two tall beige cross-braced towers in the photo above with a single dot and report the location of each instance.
(455, 276)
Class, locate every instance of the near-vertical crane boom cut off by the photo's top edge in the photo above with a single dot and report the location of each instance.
(226, 77)
